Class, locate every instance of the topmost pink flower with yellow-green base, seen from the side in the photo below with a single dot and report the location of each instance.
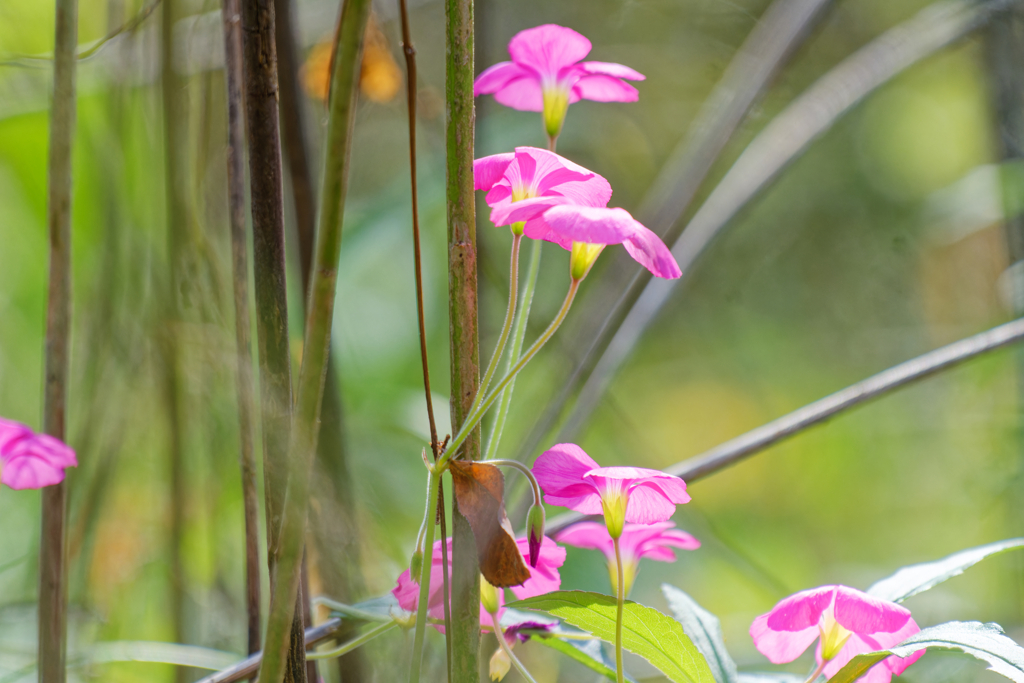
(547, 75)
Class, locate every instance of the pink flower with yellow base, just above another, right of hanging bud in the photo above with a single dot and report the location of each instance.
(572, 480)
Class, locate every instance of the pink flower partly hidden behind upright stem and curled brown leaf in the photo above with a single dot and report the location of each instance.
(544, 579)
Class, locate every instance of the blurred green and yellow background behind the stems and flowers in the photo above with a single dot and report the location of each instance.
(859, 259)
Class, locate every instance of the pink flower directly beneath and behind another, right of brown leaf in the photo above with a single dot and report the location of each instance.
(638, 541)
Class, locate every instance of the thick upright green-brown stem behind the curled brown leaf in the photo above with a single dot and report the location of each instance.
(462, 322)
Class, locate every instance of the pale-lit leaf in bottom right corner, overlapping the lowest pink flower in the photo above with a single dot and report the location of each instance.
(983, 642)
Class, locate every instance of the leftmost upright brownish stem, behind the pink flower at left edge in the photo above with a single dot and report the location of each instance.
(54, 544)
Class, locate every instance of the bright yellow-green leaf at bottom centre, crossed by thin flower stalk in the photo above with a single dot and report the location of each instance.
(647, 632)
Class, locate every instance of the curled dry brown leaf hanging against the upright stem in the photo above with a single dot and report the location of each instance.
(480, 491)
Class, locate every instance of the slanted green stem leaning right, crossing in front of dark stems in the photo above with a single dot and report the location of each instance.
(303, 442)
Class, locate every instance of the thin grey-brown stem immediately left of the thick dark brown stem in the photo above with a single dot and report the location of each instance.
(243, 344)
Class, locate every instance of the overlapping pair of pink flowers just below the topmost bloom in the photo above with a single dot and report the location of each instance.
(546, 197)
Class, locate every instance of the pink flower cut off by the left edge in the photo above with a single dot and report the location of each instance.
(29, 460)
